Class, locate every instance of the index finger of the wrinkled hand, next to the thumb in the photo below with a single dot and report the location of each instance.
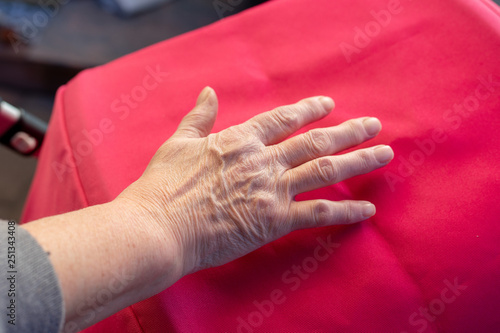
(274, 126)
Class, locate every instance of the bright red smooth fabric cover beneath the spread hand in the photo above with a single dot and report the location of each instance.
(428, 261)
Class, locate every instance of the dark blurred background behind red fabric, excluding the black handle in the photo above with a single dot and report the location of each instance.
(44, 43)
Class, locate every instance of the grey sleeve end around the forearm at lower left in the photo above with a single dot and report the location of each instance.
(30, 294)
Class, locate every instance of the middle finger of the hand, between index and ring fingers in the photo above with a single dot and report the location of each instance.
(326, 141)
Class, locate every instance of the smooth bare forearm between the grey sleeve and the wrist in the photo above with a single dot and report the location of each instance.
(106, 257)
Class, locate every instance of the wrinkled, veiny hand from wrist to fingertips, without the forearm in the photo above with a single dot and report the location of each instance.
(216, 197)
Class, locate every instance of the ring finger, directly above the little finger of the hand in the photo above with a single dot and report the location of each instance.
(330, 170)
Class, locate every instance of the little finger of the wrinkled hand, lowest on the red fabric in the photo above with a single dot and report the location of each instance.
(318, 213)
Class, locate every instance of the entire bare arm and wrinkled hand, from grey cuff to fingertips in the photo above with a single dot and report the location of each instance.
(204, 200)
